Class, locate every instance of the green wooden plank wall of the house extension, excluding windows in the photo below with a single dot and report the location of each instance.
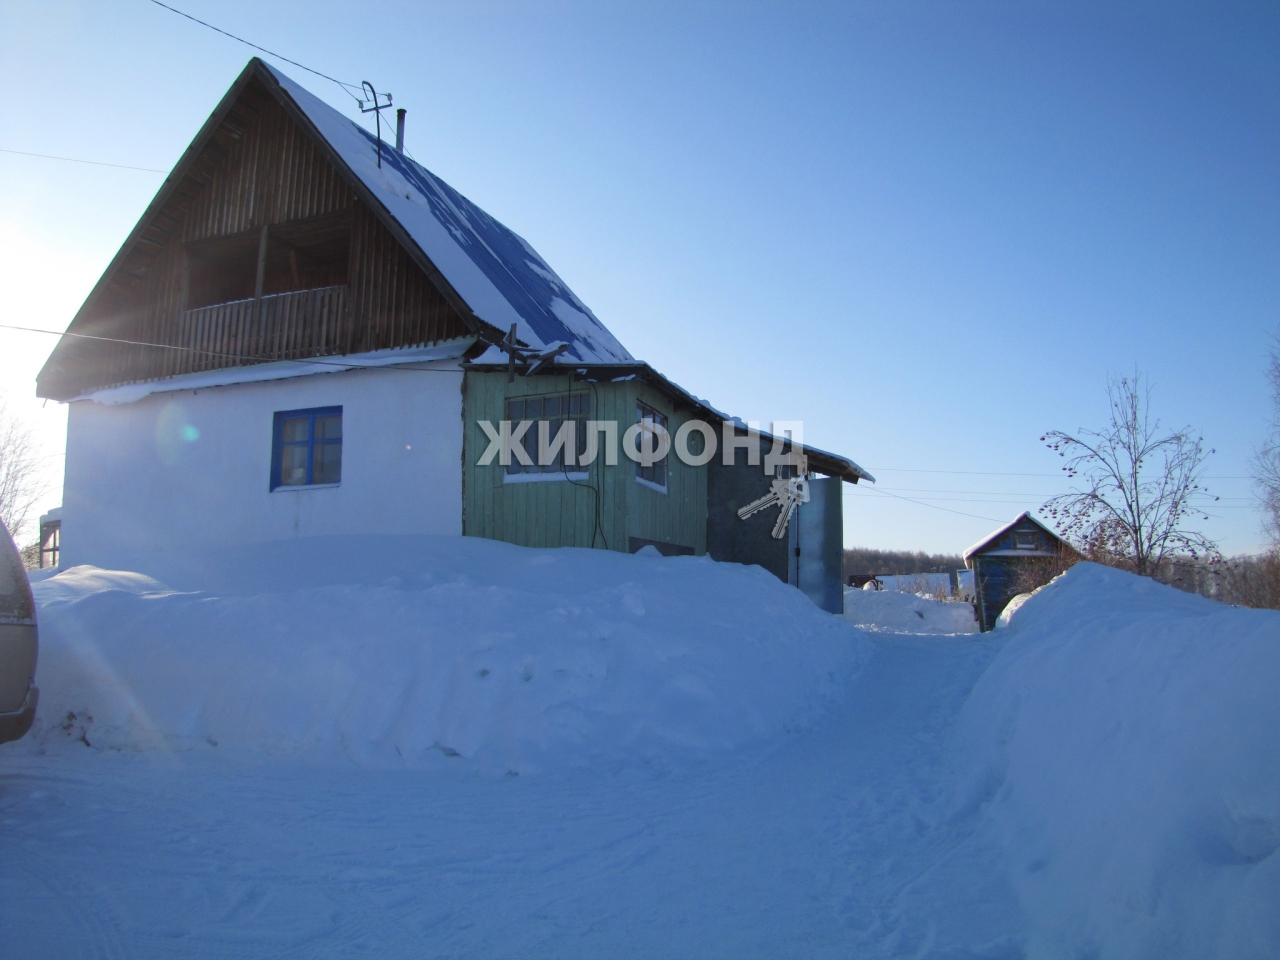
(561, 514)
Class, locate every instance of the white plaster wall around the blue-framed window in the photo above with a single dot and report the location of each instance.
(141, 479)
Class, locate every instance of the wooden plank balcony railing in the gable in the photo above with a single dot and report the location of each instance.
(278, 327)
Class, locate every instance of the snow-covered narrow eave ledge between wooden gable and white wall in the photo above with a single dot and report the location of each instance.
(285, 371)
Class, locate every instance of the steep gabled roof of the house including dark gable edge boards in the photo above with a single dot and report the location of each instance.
(488, 275)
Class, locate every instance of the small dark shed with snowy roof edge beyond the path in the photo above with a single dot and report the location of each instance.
(1022, 547)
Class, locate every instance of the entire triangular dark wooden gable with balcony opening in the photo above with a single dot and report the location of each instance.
(258, 249)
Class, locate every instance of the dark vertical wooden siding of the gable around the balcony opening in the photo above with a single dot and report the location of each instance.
(260, 170)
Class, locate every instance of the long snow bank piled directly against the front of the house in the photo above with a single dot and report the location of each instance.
(424, 651)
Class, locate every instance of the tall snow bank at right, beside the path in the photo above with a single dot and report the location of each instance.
(1126, 751)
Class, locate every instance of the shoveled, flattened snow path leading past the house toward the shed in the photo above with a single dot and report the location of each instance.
(830, 843)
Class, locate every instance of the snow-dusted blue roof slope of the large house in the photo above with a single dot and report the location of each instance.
(493, 269)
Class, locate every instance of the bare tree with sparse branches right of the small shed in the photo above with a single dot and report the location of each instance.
(1140, 487)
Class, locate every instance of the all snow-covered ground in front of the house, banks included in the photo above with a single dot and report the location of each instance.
(287, 755)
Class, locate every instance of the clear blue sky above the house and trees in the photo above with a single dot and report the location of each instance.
(930, 231)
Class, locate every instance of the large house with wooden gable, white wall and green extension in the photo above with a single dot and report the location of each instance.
(308, 333)
